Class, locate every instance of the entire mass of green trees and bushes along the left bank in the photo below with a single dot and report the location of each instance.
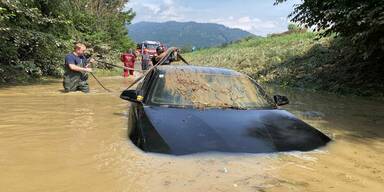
(36, 34)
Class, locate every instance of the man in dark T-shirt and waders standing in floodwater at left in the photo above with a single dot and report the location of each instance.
(76, 69)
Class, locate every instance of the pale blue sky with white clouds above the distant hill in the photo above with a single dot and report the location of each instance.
(259, 17)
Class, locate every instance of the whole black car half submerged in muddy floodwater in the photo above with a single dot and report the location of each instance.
(189, 109)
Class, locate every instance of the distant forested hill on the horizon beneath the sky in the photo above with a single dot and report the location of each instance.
(186, 34)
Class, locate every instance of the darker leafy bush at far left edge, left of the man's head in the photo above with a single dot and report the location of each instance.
(29, 39)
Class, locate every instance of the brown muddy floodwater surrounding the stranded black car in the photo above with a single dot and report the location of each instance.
(51, 141)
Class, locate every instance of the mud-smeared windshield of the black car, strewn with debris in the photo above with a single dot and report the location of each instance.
(208, 90)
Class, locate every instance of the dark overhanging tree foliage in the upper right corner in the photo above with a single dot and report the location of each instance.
(358, 21)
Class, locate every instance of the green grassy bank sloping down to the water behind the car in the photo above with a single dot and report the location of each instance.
(295, 60)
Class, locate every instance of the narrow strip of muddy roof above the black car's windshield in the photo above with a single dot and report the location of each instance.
(197, 69)
